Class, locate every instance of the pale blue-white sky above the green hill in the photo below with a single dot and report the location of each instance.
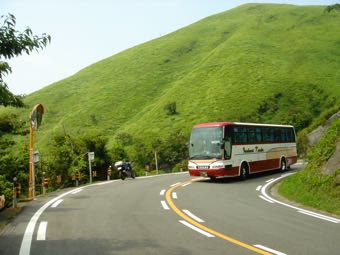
(86, 31)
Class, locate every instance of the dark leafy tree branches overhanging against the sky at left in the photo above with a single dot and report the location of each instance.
(12, 44)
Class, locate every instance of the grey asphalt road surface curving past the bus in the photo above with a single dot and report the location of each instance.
(171, 214)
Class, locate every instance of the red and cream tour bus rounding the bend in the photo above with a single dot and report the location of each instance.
(227, 149)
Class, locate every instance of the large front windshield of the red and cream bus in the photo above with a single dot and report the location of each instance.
(205, 143)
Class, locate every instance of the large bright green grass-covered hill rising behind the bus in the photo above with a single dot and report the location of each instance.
(257, 62)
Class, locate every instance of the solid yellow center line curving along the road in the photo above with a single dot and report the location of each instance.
(211, 231)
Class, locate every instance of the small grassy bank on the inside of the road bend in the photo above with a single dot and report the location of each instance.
(314, 186)
